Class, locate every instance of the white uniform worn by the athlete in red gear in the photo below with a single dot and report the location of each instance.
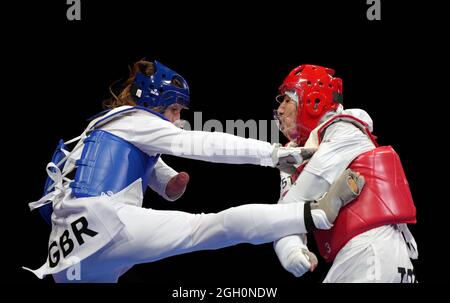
(341, 144)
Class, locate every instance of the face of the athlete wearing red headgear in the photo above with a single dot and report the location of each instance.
(287, 116)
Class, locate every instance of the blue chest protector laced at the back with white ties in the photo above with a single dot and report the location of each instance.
(107, 165)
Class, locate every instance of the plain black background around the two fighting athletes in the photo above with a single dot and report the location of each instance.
(234, 55)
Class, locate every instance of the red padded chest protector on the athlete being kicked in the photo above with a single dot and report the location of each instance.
(385, 199)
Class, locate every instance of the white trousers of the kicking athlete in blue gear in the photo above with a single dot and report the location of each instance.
(150, 235)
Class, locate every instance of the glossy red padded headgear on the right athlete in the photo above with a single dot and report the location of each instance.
(318, 92)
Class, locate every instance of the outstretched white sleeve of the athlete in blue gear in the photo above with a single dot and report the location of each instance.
(154, 135)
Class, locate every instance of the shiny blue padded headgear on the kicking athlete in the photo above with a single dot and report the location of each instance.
(158, 90)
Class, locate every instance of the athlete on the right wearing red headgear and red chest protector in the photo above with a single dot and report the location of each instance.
(369, 241)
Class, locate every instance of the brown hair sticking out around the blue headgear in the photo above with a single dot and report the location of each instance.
(124, 97)
